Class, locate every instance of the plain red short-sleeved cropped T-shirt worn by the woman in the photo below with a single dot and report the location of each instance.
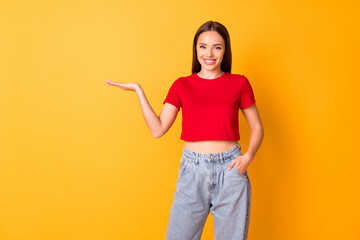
(210, 107)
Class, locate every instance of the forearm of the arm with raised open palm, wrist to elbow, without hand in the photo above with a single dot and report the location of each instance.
(152, 120)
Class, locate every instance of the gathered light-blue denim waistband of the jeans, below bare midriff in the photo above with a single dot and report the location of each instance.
(212, 157)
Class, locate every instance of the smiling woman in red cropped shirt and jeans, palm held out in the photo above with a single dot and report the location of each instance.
(213, 172)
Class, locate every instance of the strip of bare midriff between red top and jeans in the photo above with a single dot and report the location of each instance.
(210, 146)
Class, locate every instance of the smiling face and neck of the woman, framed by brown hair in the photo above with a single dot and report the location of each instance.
(210, 49)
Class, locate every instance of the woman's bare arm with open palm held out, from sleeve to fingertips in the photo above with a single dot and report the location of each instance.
(158, 125)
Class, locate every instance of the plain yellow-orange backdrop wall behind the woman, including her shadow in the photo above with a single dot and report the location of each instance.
(77, 160)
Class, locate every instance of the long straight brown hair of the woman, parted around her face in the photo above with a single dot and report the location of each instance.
(221, 29)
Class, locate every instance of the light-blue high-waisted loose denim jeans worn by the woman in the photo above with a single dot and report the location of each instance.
(205, 185)
